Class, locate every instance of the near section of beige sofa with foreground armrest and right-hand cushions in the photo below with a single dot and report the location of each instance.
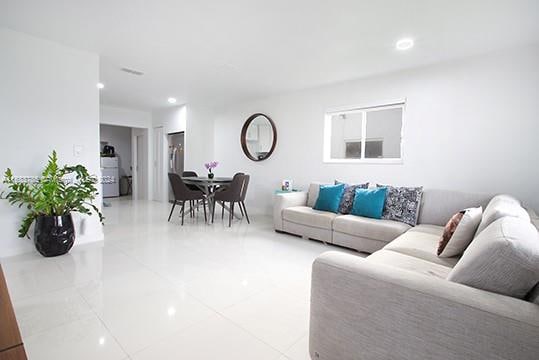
(405, 302)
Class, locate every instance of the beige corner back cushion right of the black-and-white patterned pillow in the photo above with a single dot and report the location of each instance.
(438, 206)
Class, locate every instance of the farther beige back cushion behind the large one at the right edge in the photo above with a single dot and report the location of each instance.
(501, 206)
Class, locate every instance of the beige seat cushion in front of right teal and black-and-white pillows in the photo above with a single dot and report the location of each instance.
(376, 229)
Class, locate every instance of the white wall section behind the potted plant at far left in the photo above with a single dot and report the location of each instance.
(48, 101)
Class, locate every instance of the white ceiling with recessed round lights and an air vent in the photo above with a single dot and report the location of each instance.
(225, 51)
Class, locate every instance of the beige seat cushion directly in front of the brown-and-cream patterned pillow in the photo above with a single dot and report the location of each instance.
(421, 242)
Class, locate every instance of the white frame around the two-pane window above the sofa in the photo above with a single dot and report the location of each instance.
(395, 104)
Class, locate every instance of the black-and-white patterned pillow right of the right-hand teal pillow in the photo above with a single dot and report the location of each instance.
(402, 204)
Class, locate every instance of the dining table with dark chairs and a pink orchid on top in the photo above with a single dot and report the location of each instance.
(196, 195)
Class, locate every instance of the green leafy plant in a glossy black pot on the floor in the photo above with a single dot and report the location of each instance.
(50, 200)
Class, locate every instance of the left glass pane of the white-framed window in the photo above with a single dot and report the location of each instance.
(346, 135)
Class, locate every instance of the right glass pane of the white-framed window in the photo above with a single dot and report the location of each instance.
(383, 134)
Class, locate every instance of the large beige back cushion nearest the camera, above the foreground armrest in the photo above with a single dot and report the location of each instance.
(503, 258)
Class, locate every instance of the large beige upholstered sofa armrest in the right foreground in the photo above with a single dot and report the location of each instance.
(362, 310)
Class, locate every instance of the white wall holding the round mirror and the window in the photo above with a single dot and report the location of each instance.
(470, 125)
